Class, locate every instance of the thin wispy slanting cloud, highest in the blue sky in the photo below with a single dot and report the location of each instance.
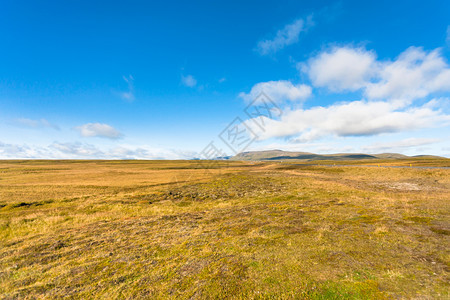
(284, 37)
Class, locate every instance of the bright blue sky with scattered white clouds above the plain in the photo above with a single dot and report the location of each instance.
(133, 79)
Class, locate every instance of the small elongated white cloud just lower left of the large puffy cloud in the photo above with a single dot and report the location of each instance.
(278, 91)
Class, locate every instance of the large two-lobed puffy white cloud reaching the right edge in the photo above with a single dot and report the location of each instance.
(414, 74)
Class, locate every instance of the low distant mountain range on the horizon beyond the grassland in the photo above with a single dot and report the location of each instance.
(287, 155)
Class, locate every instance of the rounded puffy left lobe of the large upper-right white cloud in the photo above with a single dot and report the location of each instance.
(340, 69)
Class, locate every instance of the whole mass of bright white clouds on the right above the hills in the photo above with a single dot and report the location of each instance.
(389, 90)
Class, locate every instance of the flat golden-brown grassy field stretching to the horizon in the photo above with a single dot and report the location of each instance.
(228, 229)
